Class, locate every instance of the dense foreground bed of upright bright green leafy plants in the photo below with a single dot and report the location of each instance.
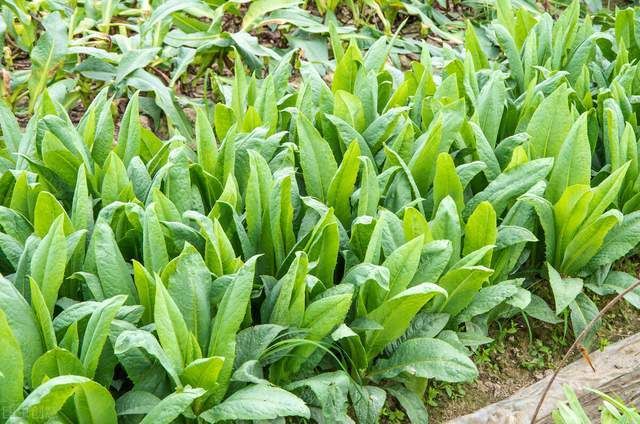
(308, 250)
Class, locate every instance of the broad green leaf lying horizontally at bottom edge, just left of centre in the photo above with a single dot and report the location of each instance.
(257, 402)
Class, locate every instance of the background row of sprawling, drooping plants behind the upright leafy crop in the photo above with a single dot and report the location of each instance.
(167, 49)
